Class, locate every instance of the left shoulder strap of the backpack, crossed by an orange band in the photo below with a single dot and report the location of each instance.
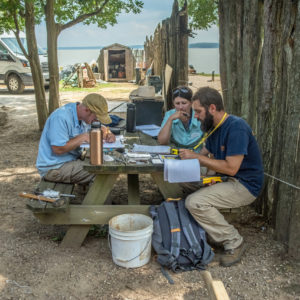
(174, 227)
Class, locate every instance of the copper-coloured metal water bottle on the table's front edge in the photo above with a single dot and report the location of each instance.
(96, 144)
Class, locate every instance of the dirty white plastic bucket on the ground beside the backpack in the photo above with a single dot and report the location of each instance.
(130, 236)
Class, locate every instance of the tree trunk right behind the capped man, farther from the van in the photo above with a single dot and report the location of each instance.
(52, 36)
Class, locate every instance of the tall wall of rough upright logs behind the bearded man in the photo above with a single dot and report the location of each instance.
(260, 72)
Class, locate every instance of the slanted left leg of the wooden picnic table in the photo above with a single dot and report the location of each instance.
(97, 194)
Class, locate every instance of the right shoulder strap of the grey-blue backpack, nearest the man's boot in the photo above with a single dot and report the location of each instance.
(188, 230)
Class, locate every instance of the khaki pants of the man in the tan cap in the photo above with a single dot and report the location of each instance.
(70, 172)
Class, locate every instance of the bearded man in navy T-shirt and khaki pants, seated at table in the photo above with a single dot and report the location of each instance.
(230, 149)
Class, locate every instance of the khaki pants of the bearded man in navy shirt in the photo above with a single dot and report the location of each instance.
(204, 204)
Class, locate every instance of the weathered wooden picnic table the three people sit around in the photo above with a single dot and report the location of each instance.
(93, 210)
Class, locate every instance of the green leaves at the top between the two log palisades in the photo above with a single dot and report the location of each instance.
(202, 13)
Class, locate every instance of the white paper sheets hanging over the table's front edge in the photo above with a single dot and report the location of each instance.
(187, 170)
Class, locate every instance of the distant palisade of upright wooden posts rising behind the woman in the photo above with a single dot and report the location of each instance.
(169, 46)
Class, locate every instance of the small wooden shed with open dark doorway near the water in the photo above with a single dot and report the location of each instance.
(116, 63)
